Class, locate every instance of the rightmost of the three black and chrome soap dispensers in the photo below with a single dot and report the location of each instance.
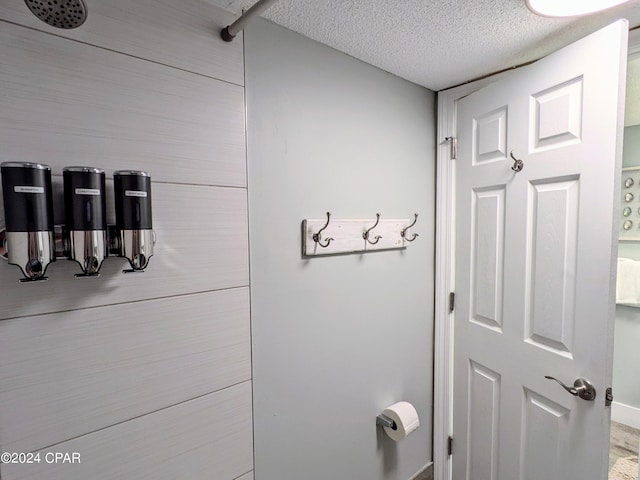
(133, 217)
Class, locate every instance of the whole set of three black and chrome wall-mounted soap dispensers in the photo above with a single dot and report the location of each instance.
(31, 241)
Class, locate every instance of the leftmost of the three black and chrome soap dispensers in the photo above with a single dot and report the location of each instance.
(28, 211)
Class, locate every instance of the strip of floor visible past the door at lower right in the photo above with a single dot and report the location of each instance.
(623, 452)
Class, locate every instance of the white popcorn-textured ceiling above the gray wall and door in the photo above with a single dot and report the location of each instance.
(436, 44)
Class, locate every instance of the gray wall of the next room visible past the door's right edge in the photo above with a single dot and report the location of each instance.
(626, 385)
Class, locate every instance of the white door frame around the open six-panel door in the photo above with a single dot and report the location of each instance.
(445, 263)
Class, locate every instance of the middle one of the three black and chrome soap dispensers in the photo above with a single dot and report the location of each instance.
(86, 218)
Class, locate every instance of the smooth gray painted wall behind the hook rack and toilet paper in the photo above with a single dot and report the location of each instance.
(337, 339)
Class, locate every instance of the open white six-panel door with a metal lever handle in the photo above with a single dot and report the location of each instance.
(535, 264)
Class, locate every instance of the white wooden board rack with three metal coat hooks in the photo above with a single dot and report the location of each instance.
(331, 236)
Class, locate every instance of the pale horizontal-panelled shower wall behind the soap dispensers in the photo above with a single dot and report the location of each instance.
(146, 376)
